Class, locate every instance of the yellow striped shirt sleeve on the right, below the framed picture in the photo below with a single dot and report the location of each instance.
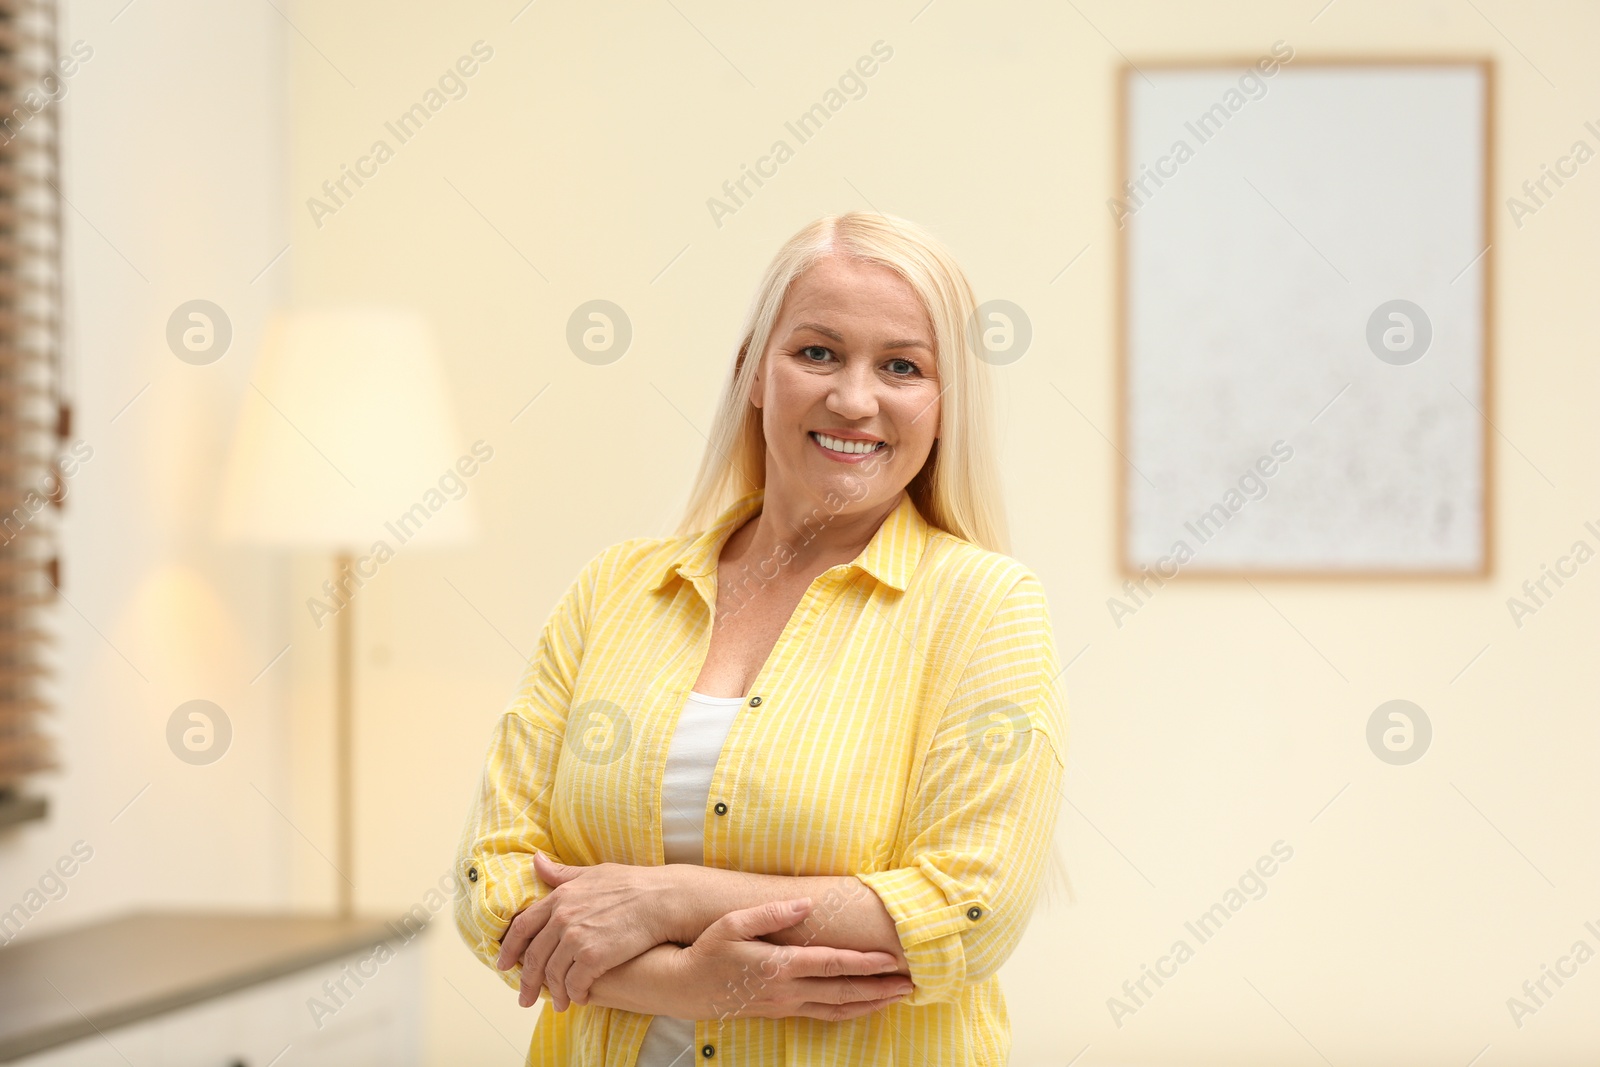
(985, 812)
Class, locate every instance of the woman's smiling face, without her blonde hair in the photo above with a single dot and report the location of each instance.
(850, 362)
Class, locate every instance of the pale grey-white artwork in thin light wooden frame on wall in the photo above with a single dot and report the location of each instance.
(1306, 318)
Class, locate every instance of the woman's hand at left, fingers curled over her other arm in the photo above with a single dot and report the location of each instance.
(593, 921)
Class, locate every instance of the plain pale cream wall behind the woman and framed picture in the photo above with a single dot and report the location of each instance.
(578, 167)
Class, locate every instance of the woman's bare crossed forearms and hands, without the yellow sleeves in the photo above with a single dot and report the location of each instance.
(702, 943)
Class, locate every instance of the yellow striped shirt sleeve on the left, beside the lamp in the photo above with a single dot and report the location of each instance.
(511, 813)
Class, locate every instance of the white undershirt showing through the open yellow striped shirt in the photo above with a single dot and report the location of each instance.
(686, 791)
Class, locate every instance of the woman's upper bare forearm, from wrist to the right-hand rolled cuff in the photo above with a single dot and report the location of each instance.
(846, 913)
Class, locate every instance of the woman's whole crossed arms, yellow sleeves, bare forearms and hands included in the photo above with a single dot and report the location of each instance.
(698, 943)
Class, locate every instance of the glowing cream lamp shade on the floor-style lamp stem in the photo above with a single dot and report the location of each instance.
(346, 439)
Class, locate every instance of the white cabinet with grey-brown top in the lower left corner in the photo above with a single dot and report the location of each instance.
(226, 991)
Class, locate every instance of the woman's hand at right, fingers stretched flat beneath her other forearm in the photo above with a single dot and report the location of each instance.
(730, 972)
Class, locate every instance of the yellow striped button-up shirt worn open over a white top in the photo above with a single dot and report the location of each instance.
(908, 729)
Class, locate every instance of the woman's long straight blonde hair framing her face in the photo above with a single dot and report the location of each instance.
(959, 487)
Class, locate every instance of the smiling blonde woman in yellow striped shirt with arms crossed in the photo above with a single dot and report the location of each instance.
(780, 789)
